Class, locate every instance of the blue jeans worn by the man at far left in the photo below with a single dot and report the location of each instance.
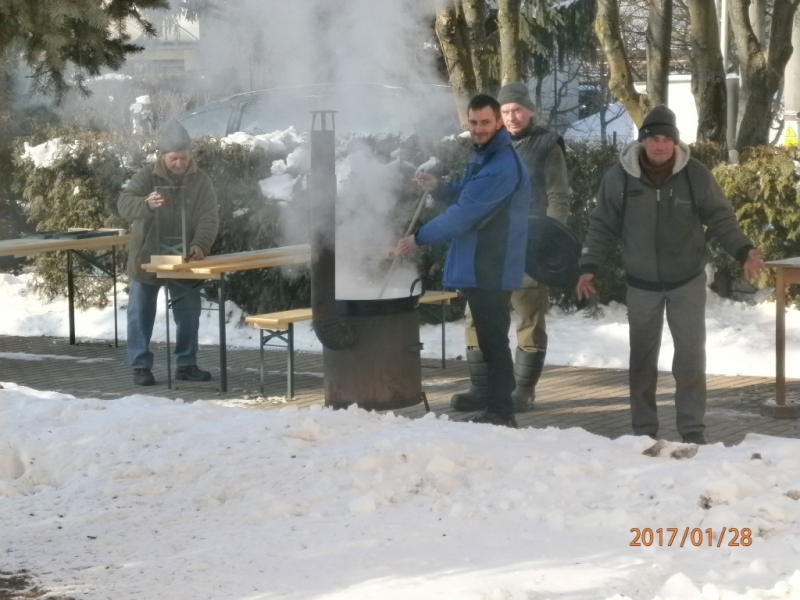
(142, 303)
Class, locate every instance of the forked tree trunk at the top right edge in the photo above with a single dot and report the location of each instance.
(761, 71)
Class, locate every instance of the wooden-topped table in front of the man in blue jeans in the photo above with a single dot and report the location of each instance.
(213, 268)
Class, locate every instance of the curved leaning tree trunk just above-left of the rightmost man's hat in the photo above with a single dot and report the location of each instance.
(606, 26)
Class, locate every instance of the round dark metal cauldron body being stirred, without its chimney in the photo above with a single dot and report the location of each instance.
(382, 370)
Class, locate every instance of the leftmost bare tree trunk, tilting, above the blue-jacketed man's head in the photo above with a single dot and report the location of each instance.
(459, 67)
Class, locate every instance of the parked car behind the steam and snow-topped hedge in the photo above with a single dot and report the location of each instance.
(363, 108)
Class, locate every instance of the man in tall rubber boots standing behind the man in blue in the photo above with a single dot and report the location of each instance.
(543, 155)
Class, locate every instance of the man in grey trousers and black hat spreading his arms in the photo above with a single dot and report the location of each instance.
(661, 204)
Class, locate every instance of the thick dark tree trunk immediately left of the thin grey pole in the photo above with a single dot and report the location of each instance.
(708, 72)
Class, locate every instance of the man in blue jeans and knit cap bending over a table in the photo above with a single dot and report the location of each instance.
(151, 200)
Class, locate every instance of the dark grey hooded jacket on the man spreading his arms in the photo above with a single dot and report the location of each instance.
(663, 229)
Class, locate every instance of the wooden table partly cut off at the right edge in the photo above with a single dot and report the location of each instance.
(787, 271)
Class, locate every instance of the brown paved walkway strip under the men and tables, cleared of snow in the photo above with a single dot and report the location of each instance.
(593, 399)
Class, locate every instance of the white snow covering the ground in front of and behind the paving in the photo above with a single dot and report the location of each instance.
(145, 497)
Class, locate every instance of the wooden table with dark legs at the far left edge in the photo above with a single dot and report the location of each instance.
(73, 246)
